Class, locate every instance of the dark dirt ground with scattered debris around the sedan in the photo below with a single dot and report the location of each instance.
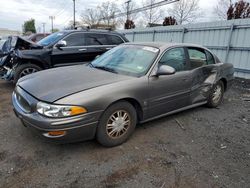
(200, 147)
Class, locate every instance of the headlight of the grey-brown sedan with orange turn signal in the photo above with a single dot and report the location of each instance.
(59, 111)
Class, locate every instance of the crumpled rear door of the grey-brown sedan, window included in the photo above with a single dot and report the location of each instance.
(204, 73)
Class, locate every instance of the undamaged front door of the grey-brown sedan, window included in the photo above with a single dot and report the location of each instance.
(171, 92)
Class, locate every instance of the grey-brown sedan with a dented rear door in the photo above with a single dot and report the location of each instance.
(132, 83)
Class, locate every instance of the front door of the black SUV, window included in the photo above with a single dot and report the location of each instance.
(74, 52)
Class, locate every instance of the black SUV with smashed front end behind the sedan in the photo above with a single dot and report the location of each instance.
(63, 48)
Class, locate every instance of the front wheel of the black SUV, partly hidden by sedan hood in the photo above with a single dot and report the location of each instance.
(25, 68)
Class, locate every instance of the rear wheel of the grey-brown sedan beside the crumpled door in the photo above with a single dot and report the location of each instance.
(216, 96)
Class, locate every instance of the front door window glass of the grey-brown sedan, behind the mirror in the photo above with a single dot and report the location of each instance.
(175, 58)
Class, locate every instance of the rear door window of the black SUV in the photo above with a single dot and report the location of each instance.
(95, 39)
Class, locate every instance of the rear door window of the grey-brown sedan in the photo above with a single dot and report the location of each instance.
(197, 57)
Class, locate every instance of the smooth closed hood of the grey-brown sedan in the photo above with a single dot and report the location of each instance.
(53, 84)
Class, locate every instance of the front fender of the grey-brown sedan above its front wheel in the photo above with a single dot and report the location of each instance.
(100, 98)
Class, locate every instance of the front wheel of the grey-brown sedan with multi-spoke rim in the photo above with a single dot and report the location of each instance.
(116, 124)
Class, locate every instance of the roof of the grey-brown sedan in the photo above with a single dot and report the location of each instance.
(164, 45)
